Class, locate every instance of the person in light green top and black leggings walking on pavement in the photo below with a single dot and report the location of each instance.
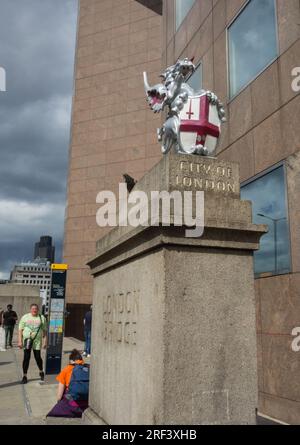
(32, 326)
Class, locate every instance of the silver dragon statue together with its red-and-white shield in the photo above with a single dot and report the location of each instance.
(185, 135)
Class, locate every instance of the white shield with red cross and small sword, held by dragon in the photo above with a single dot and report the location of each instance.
(200, 126)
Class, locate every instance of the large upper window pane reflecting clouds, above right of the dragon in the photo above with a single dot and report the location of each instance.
(252, 43)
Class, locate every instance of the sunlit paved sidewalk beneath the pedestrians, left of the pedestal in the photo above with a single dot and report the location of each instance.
(28, 404)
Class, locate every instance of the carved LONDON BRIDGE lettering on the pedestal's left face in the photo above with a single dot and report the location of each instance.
(120, 315)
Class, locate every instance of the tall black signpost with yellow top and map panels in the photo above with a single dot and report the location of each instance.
(56, 319)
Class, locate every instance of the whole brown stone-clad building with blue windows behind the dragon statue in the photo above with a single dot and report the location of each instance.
(248, 53)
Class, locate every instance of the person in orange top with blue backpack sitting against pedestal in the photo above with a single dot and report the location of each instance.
(73, 388)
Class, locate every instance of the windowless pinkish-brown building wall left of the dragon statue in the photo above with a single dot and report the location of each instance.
(112, 130)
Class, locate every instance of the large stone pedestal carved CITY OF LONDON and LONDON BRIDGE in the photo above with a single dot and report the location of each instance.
(174, 338)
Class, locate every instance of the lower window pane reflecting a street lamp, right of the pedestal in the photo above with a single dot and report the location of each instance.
(269, 207)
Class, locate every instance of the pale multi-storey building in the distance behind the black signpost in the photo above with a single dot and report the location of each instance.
(34, 273)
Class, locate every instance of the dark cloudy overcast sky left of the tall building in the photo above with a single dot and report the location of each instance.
(37, 44)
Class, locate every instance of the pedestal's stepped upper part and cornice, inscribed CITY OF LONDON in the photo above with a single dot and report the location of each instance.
(228, 221)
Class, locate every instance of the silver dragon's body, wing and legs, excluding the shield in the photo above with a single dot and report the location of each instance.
(173, 93)
